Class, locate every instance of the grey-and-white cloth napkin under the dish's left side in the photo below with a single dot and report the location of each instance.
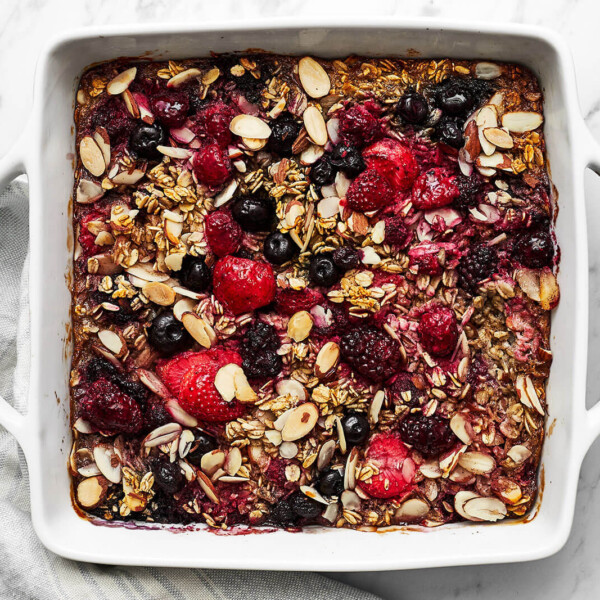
(27, 569)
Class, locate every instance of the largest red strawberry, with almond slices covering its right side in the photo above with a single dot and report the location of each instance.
(199, 397)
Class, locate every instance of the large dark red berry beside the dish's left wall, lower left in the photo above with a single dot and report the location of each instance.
(110, 410)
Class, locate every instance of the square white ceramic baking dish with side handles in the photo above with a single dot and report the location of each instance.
(45, 153)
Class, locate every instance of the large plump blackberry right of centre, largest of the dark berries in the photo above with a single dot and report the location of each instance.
(371, 352)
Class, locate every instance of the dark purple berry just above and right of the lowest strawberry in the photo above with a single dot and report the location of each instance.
(429, 435)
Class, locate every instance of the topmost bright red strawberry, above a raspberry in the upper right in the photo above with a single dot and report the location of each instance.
(393, 161)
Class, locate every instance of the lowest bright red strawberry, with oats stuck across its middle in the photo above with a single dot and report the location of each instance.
(396, 470)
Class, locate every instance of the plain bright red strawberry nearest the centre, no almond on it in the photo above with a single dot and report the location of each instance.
(242, 285)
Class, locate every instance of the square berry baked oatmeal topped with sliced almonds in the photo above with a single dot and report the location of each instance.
(310, 292)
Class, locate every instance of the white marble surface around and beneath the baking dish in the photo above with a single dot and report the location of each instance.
(574, 573)
